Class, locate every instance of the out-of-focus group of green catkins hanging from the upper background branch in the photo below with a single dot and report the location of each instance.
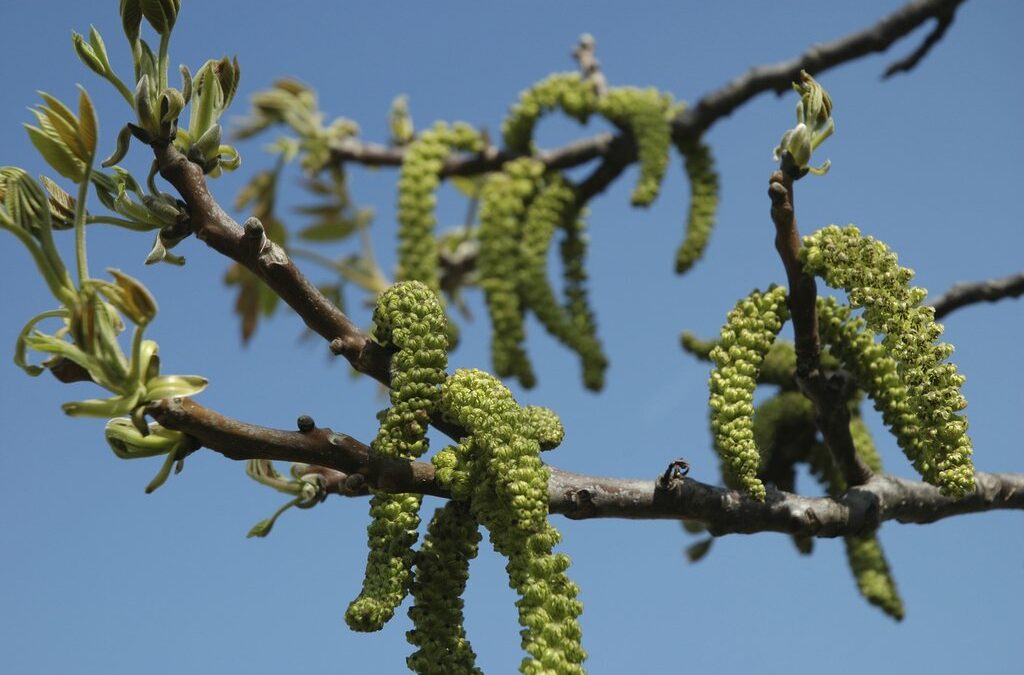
(524, 204)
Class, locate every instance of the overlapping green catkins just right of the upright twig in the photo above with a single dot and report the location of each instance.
(912, 384)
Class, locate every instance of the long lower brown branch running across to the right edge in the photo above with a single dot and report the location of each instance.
(342, 459)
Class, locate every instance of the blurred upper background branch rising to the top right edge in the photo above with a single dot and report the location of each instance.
(697, 119)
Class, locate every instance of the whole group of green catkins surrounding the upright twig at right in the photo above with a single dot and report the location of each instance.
(907, 375)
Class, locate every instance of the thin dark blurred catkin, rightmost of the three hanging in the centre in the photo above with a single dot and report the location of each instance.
(574, 254)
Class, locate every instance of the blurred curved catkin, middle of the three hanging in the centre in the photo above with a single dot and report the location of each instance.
(552, 207)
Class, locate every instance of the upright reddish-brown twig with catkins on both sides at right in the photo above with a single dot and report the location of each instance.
(829, 394)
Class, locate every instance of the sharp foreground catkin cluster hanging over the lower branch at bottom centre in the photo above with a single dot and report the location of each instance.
(496, 479)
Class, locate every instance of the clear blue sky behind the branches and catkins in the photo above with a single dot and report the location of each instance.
(101, 578)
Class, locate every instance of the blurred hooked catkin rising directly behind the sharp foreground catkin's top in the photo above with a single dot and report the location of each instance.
(418, 182)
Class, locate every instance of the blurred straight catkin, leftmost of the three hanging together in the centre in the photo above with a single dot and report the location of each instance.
(503, 204)
